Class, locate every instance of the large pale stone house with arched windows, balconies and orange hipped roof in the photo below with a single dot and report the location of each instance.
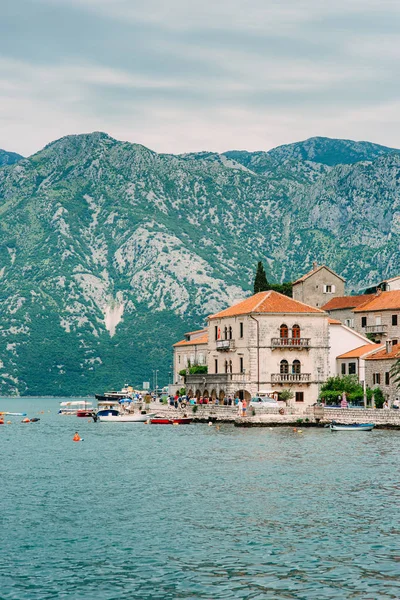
(267, 342)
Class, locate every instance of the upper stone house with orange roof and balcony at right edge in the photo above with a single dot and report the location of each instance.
(380, 316)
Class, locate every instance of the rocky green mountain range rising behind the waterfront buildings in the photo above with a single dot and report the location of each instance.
(109, 251)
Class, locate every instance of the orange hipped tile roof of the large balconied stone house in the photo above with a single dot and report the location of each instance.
(266, 302)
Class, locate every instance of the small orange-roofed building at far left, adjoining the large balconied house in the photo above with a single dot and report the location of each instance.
(190, 351)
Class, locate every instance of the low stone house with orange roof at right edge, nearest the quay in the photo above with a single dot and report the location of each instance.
(377, 370)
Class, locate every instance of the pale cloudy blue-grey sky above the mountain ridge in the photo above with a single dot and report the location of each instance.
(180, 76)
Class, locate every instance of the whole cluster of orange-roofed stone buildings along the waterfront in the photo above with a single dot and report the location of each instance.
(270, 343)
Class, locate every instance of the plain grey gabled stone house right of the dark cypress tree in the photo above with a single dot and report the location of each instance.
(318, 286)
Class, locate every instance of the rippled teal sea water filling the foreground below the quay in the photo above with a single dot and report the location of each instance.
(153, 512)
